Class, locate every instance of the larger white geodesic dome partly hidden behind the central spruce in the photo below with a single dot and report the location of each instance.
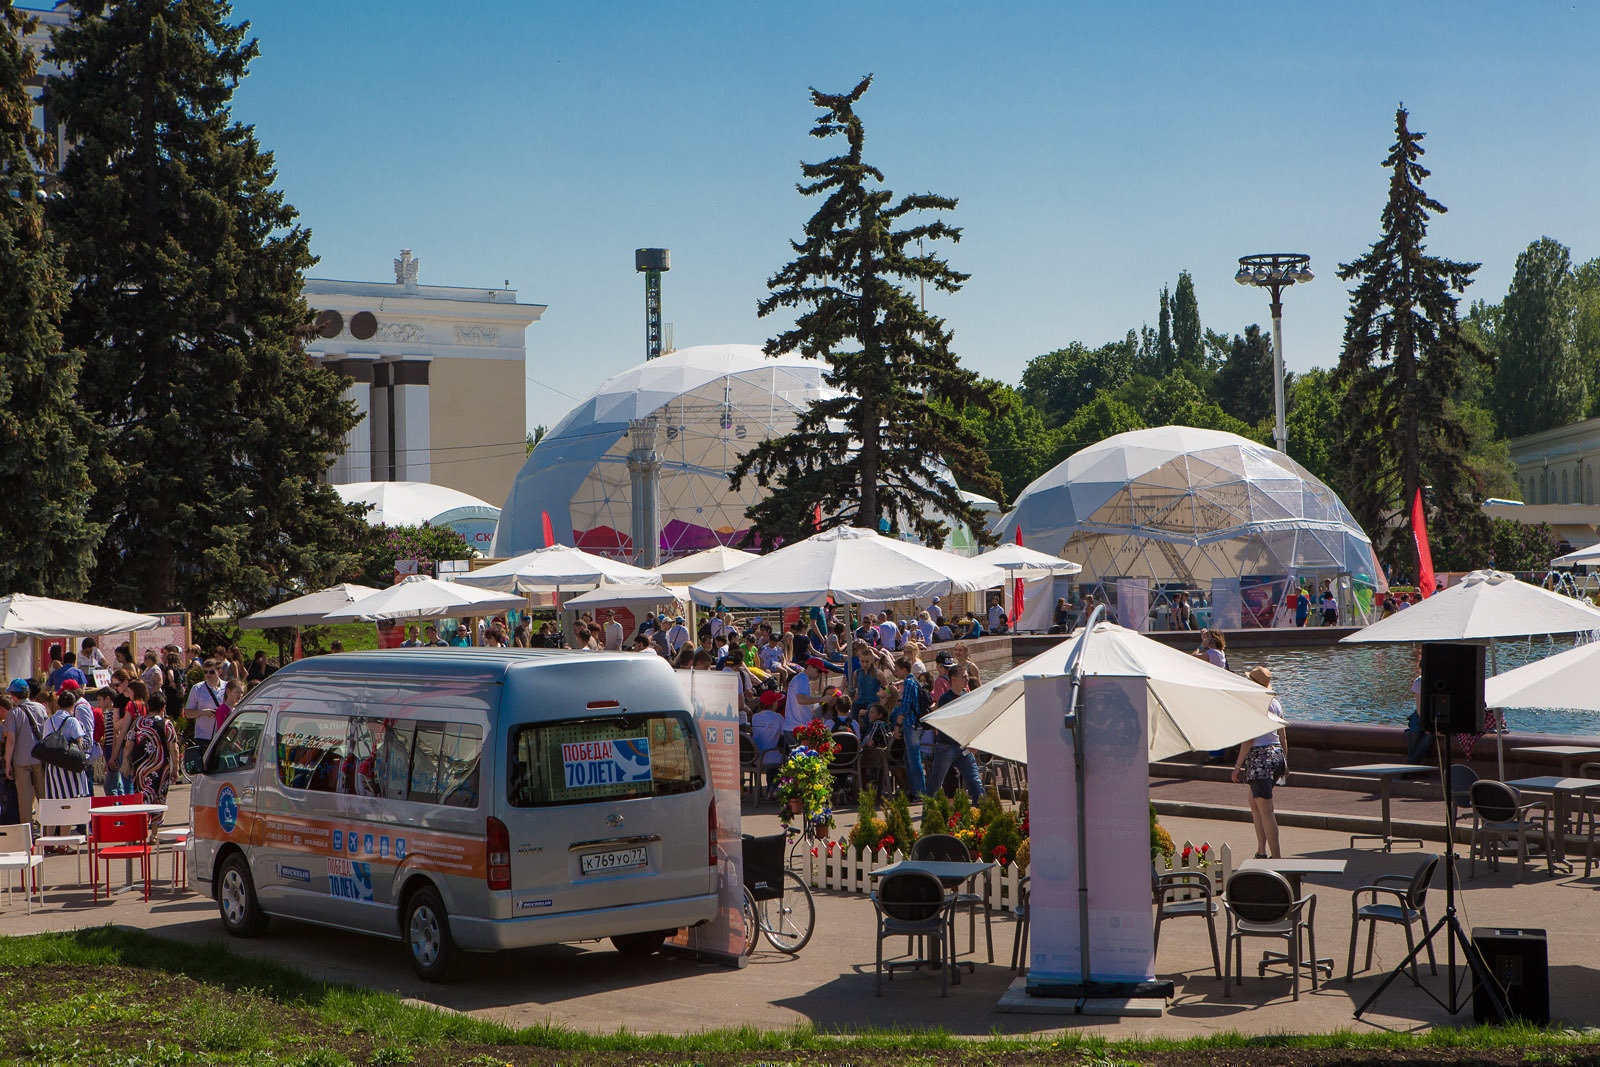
(714, 402)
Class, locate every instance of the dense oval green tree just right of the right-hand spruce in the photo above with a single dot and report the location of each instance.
(1542, 382)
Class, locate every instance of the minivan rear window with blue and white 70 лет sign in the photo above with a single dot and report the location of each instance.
(617, 757)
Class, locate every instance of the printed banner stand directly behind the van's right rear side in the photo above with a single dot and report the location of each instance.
(714, 695)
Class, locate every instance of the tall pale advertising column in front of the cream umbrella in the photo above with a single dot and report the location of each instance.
(1118, 794)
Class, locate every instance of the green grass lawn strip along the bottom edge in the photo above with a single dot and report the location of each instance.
(127, 999)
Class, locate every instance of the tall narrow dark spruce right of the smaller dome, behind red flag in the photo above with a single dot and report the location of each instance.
(1402, 362)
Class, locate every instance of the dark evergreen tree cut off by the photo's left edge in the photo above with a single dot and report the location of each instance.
(46, 533)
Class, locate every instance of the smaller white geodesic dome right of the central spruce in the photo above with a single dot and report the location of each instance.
(1231, 524)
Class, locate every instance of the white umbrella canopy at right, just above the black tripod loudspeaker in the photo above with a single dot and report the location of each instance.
(1486, 605)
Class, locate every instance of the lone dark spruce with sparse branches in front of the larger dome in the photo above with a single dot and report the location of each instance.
(870, 458)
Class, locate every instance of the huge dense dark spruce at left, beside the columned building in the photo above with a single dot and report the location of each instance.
(188, 273)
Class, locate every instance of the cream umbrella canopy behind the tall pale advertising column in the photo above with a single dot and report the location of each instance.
(1194, 705)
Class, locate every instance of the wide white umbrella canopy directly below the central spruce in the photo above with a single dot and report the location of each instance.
(850, 565)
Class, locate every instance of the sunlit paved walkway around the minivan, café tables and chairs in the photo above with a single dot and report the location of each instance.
(831, 983)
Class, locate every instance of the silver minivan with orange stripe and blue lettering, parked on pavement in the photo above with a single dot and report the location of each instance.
(463, 801)
